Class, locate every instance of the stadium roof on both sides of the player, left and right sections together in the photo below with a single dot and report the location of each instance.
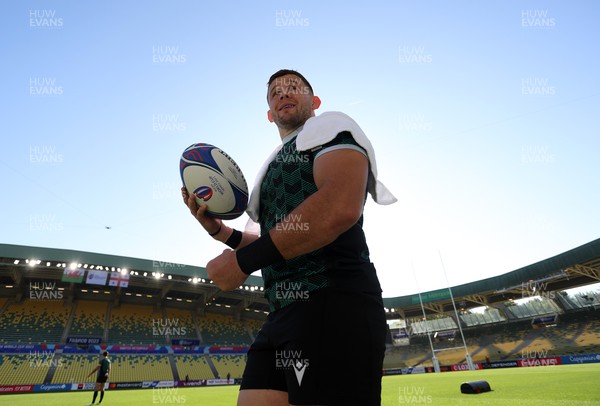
(157, 282)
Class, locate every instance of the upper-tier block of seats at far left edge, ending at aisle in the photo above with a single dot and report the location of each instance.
(34, 321)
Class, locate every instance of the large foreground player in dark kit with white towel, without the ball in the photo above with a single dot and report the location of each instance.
(323, 291)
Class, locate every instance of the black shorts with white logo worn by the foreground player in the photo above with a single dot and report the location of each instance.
(327, 350)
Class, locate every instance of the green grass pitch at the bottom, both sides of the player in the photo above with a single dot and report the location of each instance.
(556, 385)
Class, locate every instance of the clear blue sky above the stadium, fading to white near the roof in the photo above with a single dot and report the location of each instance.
(483, 115)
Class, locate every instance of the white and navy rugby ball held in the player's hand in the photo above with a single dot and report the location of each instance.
(215, 179)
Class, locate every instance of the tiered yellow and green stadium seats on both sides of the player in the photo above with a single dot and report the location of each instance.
(39, 322)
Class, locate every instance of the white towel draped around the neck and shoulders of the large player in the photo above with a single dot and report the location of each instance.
(320, 130)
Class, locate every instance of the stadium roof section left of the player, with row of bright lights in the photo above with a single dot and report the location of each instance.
(152, 282)
